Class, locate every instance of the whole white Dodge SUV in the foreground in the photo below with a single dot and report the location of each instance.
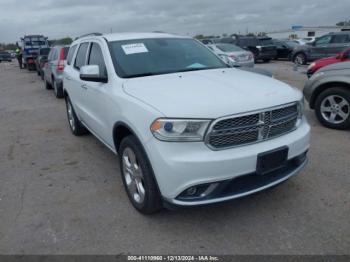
(188, 129)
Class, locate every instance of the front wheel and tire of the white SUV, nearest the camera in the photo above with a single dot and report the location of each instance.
(138, 179)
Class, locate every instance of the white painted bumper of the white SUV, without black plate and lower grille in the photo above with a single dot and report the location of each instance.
(179, 166)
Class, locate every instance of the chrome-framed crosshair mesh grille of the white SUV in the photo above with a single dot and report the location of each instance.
(251, 128)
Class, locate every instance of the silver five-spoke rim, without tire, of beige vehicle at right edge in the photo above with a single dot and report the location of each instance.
(335, 109)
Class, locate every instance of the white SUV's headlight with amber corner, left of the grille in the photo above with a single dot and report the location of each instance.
(179, 130)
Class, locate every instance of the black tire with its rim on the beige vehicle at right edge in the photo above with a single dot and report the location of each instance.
(332, 108)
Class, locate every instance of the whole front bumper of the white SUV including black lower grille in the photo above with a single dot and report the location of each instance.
(190, 174)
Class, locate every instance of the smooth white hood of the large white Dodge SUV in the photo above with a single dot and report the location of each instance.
(210, 93)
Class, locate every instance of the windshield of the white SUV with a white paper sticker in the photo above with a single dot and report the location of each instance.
(145, 57)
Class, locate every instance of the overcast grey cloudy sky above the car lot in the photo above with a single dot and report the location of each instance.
(61, 18)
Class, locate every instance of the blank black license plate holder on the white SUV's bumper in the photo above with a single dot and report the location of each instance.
(272, 160)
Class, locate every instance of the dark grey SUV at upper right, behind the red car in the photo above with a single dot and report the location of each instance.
(325, 46)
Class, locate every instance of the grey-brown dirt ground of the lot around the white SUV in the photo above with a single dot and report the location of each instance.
(60, 194)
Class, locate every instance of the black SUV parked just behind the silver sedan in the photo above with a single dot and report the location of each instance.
(262, 47)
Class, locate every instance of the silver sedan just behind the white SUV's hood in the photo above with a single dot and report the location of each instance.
(233, 55)
